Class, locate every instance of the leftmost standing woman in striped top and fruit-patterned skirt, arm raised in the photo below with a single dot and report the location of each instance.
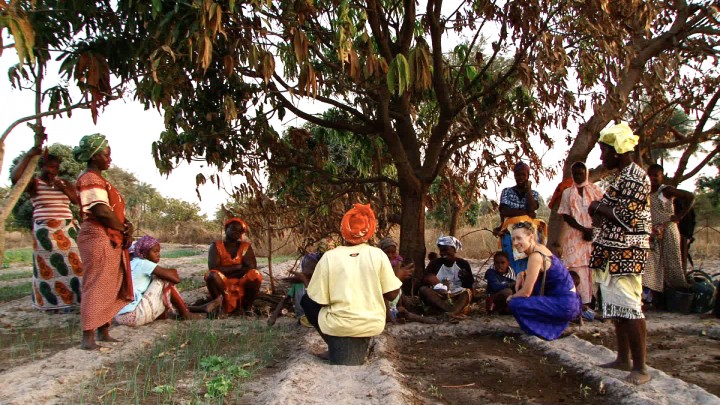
(57, 270)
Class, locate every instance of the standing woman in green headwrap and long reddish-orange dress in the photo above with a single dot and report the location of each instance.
(103, 240)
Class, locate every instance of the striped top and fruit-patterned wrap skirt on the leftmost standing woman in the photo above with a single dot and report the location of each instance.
(57, 268)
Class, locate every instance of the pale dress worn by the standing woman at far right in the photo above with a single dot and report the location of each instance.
(664, 268)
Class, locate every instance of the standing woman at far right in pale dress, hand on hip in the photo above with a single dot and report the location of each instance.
(665, 269)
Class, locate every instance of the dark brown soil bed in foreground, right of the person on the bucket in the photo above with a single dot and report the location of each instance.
(481, 369)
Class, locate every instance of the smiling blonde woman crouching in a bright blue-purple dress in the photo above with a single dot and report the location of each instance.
(546, 300)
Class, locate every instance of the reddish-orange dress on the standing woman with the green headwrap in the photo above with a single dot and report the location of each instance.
(107, 283)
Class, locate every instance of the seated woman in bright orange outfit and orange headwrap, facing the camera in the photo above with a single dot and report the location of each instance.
(233, 271)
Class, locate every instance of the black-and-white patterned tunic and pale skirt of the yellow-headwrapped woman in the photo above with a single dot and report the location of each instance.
(621, 247)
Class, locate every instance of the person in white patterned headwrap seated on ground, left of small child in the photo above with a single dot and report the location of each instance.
(448, 281)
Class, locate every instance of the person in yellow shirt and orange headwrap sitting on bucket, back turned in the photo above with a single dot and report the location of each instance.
(345, 299)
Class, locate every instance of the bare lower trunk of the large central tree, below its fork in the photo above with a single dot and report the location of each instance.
(412, 224)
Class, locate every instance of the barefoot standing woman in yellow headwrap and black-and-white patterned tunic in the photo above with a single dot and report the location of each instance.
(620, 249)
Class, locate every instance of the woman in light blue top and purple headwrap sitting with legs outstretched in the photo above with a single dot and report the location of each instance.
(155, 292)
